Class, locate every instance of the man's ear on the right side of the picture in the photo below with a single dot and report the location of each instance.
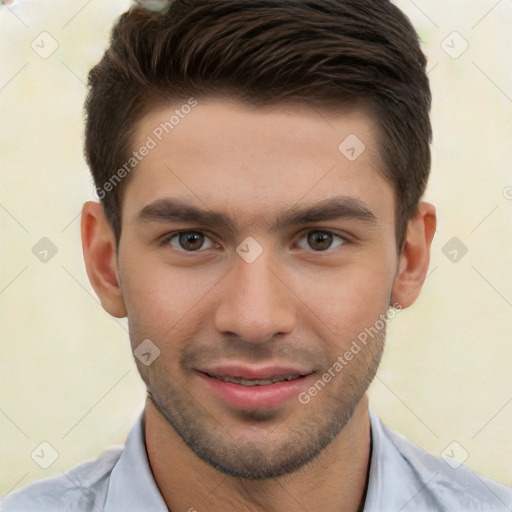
(414, 258)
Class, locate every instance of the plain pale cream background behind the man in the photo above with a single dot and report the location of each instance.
(67, 375)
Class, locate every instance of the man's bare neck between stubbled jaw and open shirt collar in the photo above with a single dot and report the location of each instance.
(334, 481)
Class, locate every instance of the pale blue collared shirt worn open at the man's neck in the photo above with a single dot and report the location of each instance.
(403, 478)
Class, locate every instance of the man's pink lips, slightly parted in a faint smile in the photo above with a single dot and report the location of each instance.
(254, 397)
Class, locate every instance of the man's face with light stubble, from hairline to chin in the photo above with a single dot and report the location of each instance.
(232, 305)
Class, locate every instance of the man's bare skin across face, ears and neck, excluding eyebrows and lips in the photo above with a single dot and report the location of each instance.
(296, 303)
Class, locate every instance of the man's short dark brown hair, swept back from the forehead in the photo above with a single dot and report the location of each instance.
(265, 52)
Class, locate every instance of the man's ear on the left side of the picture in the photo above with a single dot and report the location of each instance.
(100, 256)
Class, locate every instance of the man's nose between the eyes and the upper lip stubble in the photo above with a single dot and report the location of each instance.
(256, 302)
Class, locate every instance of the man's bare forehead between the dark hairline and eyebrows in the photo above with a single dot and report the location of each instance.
(255, 161)
